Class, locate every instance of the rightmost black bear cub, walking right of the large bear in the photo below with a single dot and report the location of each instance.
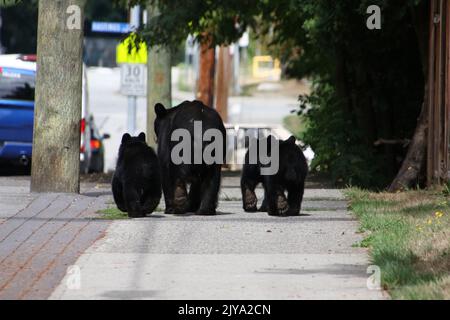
(290, 177)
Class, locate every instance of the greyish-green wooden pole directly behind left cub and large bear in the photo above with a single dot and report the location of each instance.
(159, 80)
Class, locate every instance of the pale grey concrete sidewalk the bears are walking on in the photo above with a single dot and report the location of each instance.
(234, 255)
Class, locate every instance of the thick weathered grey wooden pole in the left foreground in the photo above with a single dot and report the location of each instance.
(57, 113)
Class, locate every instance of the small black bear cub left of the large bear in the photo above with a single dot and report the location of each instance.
(136, 183)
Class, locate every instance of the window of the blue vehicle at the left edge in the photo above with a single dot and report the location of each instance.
(17, 84)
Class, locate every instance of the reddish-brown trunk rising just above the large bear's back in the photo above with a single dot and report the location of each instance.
(205, 91)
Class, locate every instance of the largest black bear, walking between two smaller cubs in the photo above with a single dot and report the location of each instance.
(195, 122)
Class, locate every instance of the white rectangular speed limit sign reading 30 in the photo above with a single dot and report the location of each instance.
(133, 79)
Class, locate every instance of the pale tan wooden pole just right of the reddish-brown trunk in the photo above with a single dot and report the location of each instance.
(223, 82)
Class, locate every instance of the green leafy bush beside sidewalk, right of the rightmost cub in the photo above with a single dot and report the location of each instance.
(339, 146)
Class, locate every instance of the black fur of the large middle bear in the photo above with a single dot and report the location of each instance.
(203, 179)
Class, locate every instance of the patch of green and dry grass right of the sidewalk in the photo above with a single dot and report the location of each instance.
(408, 236)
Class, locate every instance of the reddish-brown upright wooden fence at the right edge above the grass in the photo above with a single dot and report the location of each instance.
(439, 92)
